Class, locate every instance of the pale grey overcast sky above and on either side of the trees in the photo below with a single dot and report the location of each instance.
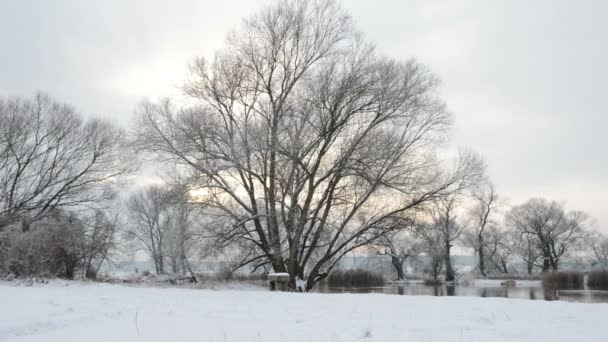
(526, 80)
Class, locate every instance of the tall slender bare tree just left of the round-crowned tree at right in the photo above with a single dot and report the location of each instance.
(485, 207)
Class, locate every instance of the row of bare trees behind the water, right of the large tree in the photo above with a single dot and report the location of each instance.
(539, 234)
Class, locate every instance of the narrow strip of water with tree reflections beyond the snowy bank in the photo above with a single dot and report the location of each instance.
(520, 292)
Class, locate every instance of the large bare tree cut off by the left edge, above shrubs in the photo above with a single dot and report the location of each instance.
(50, 158)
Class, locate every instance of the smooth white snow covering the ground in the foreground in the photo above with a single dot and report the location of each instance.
(60, 312)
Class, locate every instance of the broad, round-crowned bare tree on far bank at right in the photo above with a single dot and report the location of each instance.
(548, 228)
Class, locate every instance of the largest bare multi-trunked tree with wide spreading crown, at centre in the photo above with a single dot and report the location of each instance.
(307, 141)
